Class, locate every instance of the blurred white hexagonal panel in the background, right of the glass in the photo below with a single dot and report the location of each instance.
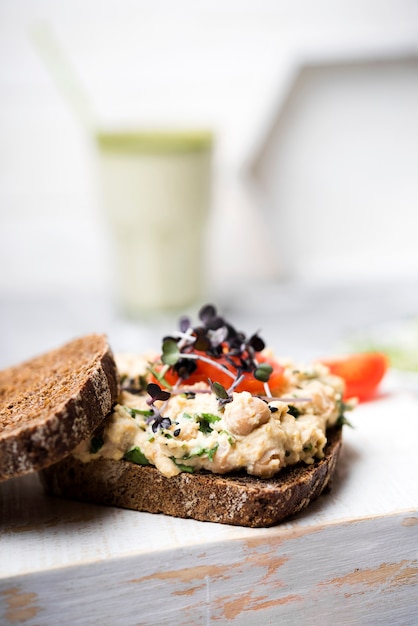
(338, 172)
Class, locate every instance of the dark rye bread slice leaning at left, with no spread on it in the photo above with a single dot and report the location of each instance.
(50, 403)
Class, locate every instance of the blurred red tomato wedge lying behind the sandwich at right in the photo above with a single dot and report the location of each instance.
(362, 373)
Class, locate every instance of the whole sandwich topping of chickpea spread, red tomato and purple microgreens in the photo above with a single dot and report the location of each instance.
(219, 401)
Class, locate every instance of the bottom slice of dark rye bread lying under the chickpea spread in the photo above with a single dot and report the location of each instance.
(237, 499)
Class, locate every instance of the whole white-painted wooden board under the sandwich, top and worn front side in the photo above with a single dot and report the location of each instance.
(351, 558)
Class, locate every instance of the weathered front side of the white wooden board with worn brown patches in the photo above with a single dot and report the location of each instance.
(367, 568)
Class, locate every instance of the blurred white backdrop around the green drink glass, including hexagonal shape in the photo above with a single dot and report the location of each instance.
(315, 110)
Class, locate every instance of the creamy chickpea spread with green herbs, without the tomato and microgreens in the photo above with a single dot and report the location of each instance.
(248, 433)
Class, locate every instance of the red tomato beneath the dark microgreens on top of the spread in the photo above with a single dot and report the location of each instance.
(207, 371)
